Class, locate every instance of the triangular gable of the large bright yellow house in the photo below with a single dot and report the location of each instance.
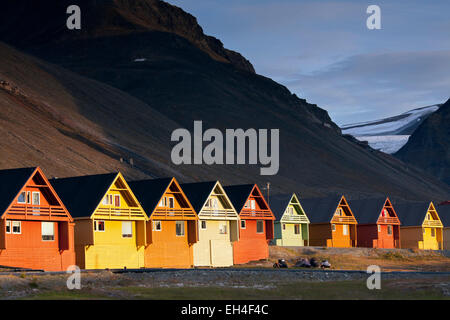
(135, 211)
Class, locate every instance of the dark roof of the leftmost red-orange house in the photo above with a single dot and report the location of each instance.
(11, 182)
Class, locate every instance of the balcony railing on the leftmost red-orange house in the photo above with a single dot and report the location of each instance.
(35, 212)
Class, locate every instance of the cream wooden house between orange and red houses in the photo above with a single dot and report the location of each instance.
(218, 224)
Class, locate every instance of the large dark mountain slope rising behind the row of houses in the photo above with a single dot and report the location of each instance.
(149, 82)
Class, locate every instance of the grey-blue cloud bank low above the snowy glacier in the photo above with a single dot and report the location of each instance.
(369, 86)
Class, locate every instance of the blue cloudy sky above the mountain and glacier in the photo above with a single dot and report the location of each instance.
(323, 51)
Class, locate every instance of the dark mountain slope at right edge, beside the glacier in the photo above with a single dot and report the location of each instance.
(429, 145)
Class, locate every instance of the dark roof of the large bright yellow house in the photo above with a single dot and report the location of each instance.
(82, 195)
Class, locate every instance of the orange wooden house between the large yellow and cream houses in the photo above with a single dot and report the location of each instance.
(172, 226)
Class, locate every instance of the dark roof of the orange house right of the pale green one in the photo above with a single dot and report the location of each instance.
(321, 210)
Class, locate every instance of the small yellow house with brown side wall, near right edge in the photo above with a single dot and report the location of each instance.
(421, 226)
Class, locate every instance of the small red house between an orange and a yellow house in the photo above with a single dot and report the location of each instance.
(378, 224)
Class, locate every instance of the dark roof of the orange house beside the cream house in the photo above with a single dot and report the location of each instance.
(149, 192)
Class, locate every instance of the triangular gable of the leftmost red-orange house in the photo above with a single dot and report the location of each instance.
(36, 179)
